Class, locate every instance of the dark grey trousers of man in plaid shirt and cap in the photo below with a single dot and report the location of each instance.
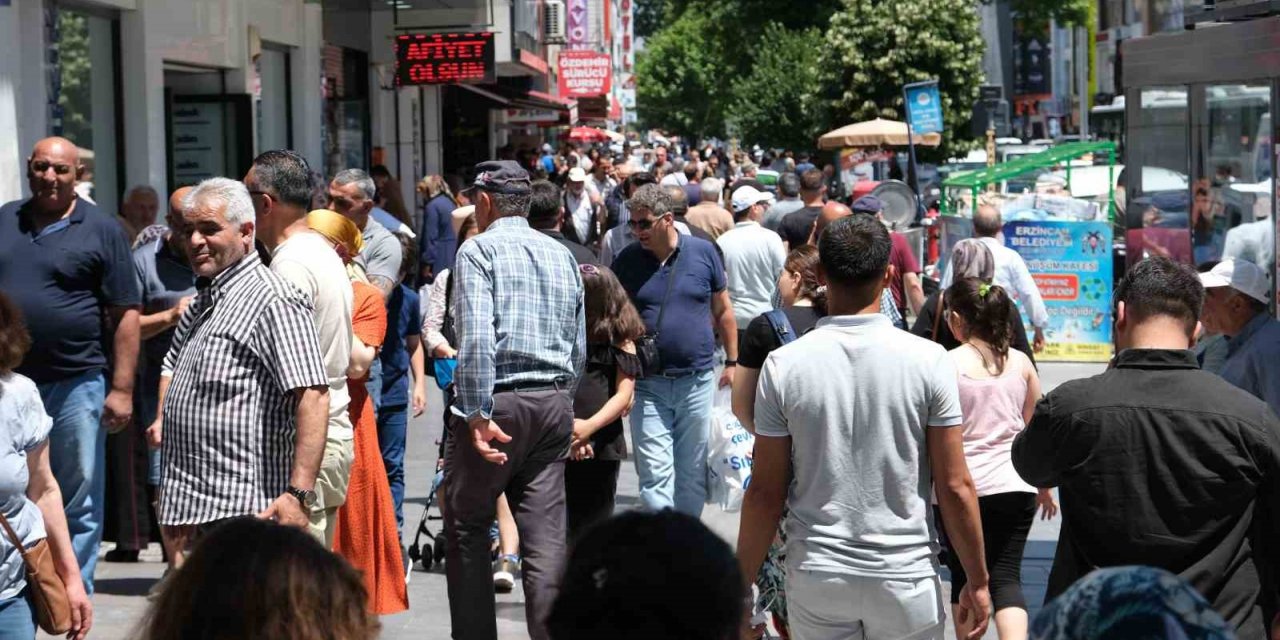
(541, 426)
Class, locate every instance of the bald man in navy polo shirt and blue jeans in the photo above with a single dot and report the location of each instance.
(68, 267)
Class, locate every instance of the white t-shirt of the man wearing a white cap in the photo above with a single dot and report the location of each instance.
(755, 258)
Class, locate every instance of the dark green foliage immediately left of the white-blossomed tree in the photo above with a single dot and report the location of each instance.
(774, 104)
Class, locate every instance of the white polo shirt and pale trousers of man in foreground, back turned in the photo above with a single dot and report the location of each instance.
(857, 397)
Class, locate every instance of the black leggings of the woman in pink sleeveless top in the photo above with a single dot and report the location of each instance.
(1007, 519)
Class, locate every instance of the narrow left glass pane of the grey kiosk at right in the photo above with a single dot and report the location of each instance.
(1154, 186)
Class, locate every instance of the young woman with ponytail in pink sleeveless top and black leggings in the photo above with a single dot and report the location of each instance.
(999, 390)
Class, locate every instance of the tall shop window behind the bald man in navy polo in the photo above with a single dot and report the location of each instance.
(83, 98)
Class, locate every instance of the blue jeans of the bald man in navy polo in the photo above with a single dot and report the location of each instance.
(77, 454)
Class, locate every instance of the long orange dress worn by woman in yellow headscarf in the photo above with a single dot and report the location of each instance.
(367, 533)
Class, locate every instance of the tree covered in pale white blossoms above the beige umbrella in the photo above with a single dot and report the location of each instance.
(874, 48)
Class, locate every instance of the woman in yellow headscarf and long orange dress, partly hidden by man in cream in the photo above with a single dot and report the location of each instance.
(367, 534)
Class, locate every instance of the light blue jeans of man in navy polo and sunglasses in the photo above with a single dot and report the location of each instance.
(670, 427)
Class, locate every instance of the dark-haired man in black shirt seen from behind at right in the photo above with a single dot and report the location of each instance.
(1163, 464)
